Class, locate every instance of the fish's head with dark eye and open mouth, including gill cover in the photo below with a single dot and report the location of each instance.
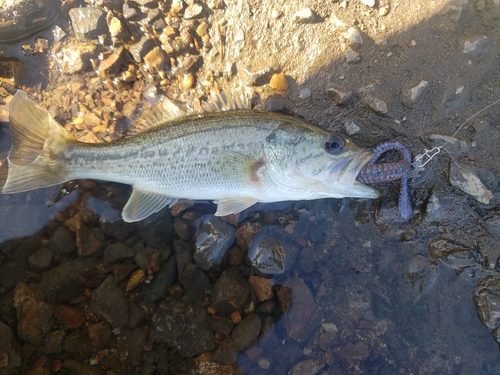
(316, 163)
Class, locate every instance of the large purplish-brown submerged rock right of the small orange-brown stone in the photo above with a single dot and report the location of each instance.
(301, 313)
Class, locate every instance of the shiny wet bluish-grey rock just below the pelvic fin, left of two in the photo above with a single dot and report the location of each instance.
(212, 240)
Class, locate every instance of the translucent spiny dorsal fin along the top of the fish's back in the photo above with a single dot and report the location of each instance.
(165, 110)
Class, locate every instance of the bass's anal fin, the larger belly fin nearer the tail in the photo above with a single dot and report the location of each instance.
(142, 204)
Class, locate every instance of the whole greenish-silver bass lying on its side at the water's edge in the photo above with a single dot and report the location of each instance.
(226, 153)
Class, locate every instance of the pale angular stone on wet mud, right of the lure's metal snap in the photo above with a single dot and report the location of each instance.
(465, 177)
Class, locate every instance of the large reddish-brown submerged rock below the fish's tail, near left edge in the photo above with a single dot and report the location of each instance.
(34, 318)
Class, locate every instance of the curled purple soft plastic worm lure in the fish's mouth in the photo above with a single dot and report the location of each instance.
(372, 173)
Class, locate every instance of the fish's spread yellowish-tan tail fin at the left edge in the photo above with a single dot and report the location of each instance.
(37, 140)
